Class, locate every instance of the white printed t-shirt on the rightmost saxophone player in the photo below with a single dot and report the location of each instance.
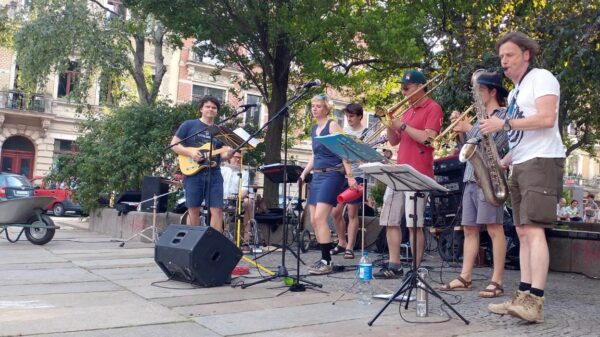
(538, 143)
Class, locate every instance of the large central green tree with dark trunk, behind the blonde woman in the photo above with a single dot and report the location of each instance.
(276, 43)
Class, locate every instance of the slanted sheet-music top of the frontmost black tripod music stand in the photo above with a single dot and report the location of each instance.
(401, 177)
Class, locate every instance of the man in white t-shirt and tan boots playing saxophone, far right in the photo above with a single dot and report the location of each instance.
(538, 158)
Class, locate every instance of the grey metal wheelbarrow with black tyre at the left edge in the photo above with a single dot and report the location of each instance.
(27, 213)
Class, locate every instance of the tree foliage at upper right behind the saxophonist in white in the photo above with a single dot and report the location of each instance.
(568, 34)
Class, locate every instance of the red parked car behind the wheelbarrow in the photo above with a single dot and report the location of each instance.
(63, 202)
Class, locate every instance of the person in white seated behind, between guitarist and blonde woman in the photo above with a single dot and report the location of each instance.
(231, 188)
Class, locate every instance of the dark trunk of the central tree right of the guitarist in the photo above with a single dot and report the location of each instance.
(273, 138)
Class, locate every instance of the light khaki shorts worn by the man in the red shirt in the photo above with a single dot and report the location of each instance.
(398, 203)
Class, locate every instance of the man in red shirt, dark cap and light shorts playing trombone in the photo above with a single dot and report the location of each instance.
(422, 121)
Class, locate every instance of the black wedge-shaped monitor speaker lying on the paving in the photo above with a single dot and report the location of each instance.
(196, 254)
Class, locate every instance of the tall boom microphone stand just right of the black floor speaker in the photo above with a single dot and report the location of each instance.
(282, 270)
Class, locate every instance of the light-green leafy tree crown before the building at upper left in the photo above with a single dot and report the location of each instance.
(102, 40)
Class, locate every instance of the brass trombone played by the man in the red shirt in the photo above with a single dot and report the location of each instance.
(386, 116)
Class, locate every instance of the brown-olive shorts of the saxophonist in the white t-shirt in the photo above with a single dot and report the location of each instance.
(536, 187)
